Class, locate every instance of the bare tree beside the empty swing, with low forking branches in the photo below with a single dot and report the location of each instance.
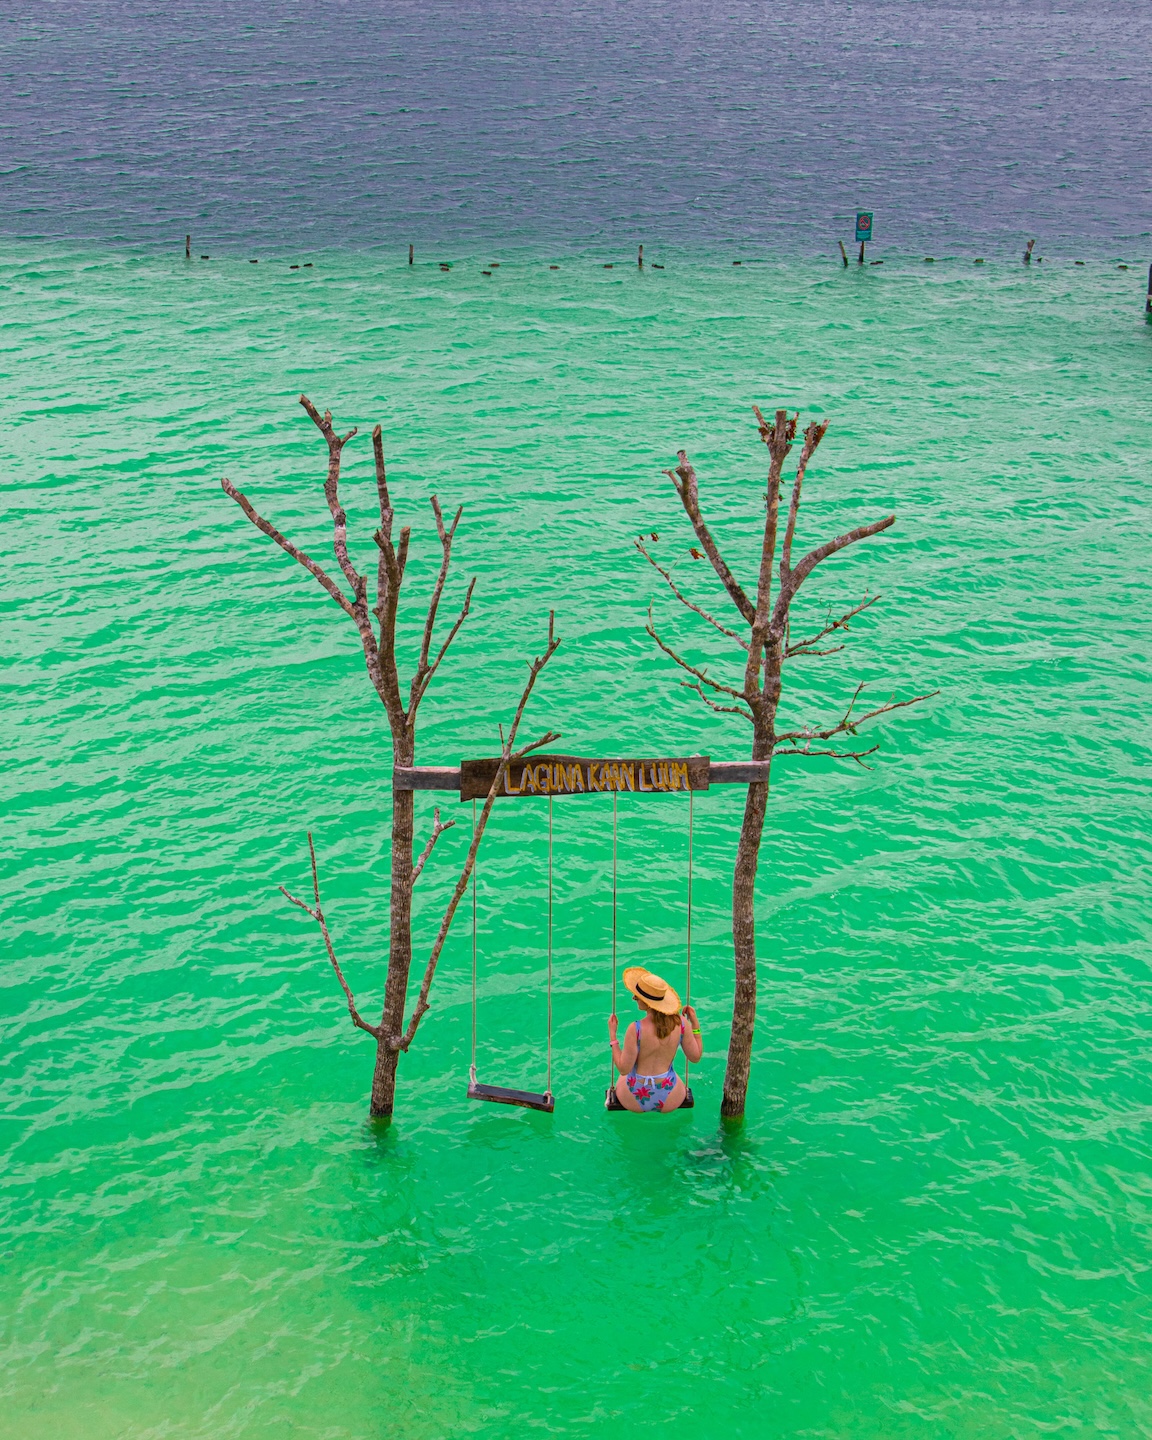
(377, 627)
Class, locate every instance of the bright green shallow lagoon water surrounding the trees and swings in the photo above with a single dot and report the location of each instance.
(938, 1216)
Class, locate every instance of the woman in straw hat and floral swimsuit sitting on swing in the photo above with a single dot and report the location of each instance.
(649, 1079)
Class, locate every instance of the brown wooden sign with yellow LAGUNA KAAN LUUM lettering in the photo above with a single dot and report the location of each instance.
(577, 775)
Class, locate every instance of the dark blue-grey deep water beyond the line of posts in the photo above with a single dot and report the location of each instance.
(967, 127)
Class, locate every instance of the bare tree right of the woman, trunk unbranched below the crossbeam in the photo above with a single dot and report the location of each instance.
(768, 644)
